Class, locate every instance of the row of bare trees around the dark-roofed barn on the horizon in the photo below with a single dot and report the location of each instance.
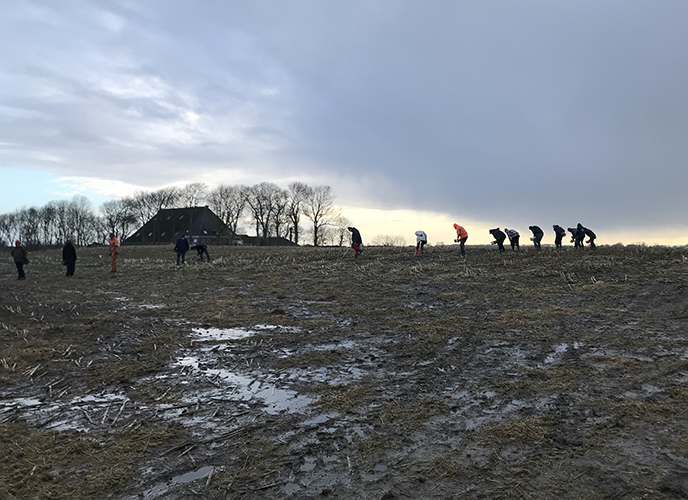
(270, 209)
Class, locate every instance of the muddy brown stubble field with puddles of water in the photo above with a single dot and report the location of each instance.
(303, 373)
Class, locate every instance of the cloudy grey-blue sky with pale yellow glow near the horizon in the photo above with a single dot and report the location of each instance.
(418, 114)
